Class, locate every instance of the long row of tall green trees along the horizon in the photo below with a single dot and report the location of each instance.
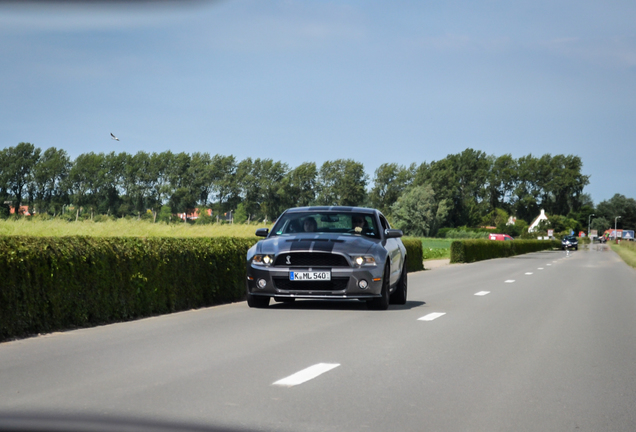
(470, 188)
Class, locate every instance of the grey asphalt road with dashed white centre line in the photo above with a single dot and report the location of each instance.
(549, 344)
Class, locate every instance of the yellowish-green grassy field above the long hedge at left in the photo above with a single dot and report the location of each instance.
(121, 228)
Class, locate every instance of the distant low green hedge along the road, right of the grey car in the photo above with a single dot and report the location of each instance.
(476, 250)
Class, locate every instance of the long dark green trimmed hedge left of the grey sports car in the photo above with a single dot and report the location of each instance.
(52, 283)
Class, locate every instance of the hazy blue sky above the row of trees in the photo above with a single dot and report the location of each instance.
(301, 81)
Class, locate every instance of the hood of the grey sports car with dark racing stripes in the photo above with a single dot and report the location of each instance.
(336, 243)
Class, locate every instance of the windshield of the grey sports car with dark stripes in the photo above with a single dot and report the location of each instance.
(327, 223)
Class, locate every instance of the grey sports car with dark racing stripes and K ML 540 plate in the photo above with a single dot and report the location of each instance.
(328, 253)
